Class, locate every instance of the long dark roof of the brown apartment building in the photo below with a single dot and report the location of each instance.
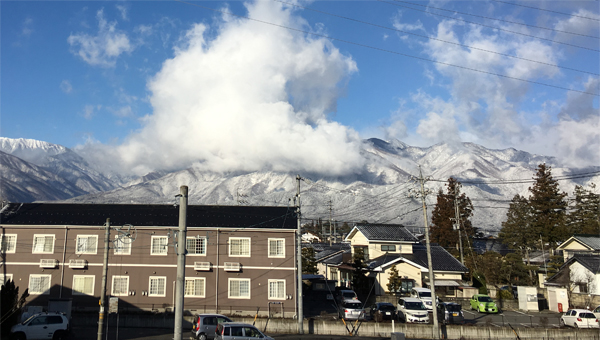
(160, 215)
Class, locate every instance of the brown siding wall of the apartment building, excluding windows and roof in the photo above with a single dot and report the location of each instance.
(140, 265)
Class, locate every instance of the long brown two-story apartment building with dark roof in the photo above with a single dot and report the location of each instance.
(238, 258)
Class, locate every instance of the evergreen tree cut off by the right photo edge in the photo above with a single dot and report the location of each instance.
(585, 216)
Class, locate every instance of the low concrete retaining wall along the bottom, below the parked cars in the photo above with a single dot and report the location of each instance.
(367, 329)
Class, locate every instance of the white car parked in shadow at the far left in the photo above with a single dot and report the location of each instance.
(52, 325)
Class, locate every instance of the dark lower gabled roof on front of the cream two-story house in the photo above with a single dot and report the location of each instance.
(440, 259)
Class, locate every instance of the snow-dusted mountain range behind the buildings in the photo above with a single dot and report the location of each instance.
(384, 192)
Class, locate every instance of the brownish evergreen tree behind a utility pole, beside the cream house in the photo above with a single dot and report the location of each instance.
(444, 214)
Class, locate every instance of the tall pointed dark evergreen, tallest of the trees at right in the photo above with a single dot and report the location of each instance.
(548, 208)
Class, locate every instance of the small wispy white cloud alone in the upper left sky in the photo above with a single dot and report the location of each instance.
(104, 48)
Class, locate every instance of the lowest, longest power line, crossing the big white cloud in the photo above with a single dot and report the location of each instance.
(389, 51)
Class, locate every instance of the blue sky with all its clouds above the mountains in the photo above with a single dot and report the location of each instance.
(286, 85)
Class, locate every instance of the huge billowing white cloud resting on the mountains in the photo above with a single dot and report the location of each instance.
(254, 97)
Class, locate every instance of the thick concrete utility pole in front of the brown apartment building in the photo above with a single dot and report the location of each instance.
(181, 251)
